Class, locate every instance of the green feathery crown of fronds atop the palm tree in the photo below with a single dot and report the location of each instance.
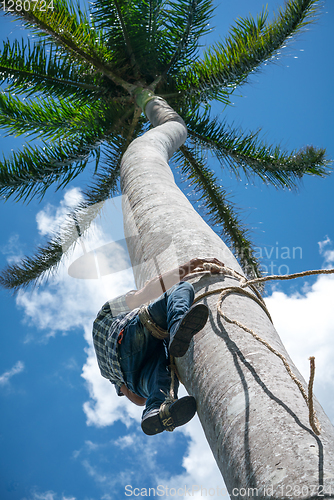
(81, 79)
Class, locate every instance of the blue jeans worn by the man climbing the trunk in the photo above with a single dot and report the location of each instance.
(144, 358)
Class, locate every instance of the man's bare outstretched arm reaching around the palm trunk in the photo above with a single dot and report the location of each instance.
(156, 286)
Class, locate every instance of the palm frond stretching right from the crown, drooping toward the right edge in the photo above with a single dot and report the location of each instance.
(247, 152)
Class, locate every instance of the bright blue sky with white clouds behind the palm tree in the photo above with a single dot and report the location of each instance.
(64, 435)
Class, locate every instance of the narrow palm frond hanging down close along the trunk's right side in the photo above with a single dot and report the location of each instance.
(221, 212)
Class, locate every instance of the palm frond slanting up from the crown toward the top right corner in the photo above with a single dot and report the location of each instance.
(250, 44)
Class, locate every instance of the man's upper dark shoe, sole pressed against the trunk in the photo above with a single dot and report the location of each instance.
(192, 322)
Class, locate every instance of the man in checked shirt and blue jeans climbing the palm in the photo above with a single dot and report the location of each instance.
(131, 350)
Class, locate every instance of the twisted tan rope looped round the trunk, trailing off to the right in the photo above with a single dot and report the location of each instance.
(243, 283)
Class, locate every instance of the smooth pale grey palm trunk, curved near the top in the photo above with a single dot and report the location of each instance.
(254, 416)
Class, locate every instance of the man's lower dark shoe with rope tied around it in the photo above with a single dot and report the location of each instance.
(169, 416)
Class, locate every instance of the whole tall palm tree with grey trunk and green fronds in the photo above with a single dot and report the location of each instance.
(90, 77)
